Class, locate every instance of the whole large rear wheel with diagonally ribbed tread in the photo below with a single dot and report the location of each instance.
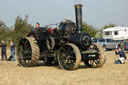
(28, 52)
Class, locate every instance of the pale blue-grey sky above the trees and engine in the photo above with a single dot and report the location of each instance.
(95, 12)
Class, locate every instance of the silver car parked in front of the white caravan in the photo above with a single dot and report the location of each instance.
(107, 43)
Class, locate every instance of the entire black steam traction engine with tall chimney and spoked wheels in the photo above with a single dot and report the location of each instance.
(66, 46)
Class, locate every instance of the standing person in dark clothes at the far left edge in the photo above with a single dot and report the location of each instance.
(3, 50)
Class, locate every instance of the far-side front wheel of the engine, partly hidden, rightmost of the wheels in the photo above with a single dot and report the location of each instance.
(100, 61)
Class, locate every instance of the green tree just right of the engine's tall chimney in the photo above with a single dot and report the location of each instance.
(89, 29)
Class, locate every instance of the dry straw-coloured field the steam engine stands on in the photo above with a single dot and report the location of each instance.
(109, 74)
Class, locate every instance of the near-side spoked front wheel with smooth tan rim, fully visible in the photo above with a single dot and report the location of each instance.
(69, 57)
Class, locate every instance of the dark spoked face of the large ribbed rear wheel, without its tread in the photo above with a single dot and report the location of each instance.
(24, 53)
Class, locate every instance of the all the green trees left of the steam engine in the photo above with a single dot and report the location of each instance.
(21, 29)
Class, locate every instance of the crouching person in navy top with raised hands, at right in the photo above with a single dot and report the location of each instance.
(122, 58)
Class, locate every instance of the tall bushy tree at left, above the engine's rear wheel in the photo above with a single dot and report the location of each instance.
(21, 28)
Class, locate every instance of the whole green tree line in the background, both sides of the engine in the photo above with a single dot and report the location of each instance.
(22, 28)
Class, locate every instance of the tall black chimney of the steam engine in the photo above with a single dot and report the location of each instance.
(78, 13)
